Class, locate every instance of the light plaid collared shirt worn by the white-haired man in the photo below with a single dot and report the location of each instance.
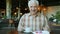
(37, 22)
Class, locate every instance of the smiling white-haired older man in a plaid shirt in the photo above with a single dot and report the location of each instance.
(33, 19)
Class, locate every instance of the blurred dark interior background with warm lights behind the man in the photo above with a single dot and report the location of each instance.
(12, 10)
